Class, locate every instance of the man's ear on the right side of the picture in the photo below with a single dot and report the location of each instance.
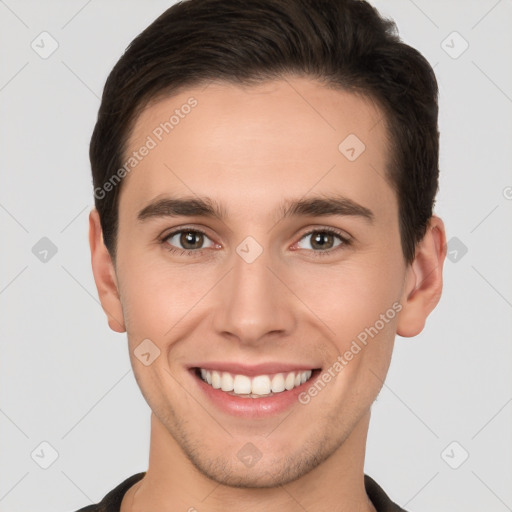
(423, 281)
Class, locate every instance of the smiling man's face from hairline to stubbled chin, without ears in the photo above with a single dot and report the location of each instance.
(288, 260)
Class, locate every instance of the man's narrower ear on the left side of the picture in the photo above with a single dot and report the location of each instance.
(104, 275)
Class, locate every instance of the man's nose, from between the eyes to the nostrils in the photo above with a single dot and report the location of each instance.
(253, 302)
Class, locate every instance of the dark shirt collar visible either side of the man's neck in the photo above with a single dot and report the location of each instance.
(112, 501)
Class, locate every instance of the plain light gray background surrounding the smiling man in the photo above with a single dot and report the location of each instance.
(66, 378)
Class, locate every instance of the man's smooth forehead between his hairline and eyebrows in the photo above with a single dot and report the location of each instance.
(243, 144)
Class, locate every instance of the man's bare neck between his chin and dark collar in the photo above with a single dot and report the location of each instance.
(172, 482)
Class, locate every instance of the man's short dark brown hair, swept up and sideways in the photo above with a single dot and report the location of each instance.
(342, 43)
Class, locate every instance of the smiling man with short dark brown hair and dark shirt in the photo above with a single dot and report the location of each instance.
(264, 174)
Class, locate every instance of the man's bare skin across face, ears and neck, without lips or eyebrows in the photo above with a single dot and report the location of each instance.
(249, 148)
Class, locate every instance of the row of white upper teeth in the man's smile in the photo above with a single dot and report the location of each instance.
(258, 385)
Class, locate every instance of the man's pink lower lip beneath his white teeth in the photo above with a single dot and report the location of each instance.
(253, 407)
